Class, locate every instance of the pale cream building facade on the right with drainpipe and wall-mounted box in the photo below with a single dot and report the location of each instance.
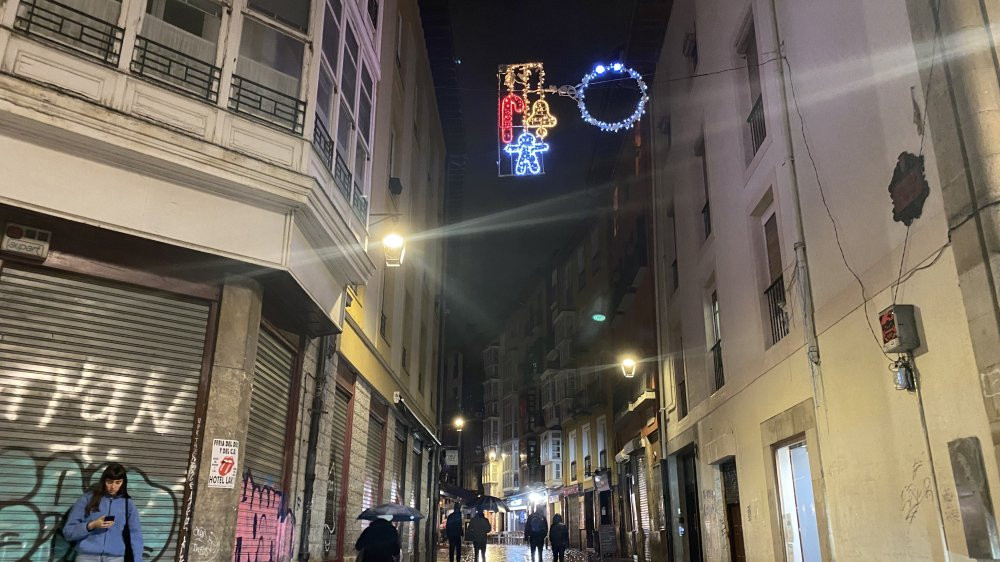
(816, 167)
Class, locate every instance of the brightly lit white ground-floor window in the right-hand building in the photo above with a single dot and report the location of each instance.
(797, 508)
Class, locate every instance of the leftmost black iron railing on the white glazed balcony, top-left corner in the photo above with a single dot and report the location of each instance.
(71, 28)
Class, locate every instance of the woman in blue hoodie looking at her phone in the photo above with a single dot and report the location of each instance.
(96, 523)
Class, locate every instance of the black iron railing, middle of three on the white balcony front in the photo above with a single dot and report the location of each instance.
(175, 69)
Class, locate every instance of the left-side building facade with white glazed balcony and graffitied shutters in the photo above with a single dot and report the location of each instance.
(190, 194)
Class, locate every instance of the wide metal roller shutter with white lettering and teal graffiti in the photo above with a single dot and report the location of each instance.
(93, 372)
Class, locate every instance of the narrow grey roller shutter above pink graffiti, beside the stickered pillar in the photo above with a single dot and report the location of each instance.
(272, 381)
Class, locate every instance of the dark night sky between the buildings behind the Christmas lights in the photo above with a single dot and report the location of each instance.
(511, 226)
